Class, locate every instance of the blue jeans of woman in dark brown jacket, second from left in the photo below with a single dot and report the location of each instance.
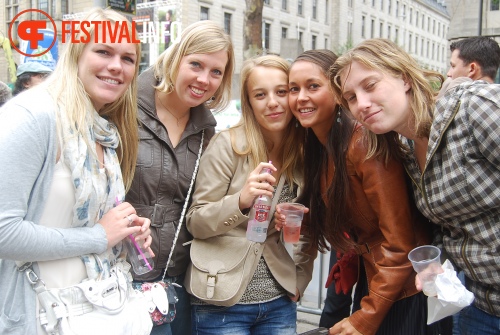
(182, 322)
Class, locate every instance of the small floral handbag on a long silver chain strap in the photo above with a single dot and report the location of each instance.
(163, 296)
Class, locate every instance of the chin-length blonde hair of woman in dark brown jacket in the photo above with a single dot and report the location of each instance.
(201, 37)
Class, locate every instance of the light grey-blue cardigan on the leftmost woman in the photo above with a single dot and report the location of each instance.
(28, 149)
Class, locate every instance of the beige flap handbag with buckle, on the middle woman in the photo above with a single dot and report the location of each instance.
(222, 266)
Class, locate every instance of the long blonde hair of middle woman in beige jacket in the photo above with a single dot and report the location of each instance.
(291, 153)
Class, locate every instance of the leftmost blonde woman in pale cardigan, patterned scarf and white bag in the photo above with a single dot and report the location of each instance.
(68, 149)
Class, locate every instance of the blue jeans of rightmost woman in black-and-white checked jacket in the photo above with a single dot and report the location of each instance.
(474, 321)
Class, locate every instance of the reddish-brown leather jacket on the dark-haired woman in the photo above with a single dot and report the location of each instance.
(388, 226)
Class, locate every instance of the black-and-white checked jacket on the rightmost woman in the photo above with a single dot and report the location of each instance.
(460, 185)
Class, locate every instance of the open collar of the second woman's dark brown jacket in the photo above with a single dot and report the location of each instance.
(201, 117)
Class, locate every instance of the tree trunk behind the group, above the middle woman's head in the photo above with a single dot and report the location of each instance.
(252, 33)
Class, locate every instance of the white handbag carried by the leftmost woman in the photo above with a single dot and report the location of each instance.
(105, 305)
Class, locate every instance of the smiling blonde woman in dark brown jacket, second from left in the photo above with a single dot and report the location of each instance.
(176, 96)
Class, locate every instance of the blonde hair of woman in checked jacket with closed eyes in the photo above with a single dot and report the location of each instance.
(385, 56)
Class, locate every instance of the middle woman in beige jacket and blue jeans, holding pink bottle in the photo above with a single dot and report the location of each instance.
(229, 181)
